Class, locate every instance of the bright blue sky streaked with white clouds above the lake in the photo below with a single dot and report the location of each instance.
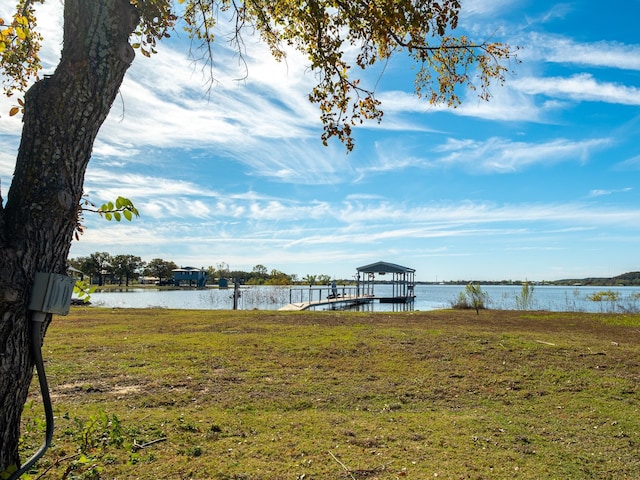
(541, 183)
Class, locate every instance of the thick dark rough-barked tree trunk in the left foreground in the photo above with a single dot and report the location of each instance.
(63, 113)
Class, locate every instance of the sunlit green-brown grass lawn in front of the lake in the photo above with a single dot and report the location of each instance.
(250, 395)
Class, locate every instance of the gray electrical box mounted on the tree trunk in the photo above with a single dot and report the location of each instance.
(51, 293)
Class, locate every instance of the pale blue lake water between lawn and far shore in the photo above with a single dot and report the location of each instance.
(428, 297)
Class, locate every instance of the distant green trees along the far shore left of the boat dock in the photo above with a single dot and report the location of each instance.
(103, 268)
